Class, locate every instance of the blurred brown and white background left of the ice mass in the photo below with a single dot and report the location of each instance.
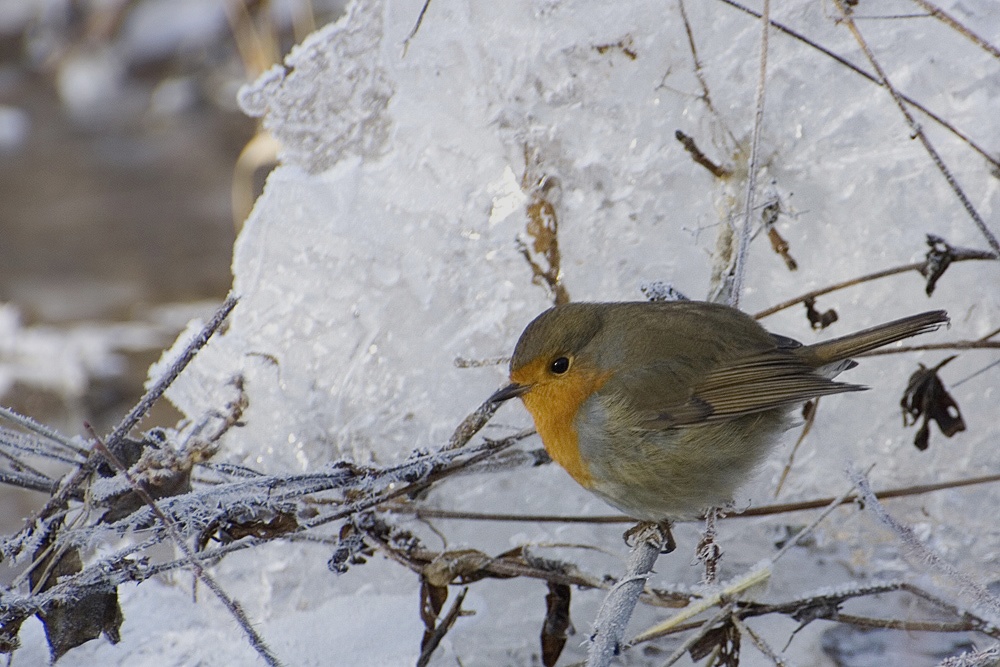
(121, 189)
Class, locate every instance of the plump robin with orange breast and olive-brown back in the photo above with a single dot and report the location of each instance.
(664, 409)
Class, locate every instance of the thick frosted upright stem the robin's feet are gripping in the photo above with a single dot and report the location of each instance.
(609, 627)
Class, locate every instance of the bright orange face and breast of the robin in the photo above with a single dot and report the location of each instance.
(554, 405)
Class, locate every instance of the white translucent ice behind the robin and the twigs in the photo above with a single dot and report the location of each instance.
(384, 248)
